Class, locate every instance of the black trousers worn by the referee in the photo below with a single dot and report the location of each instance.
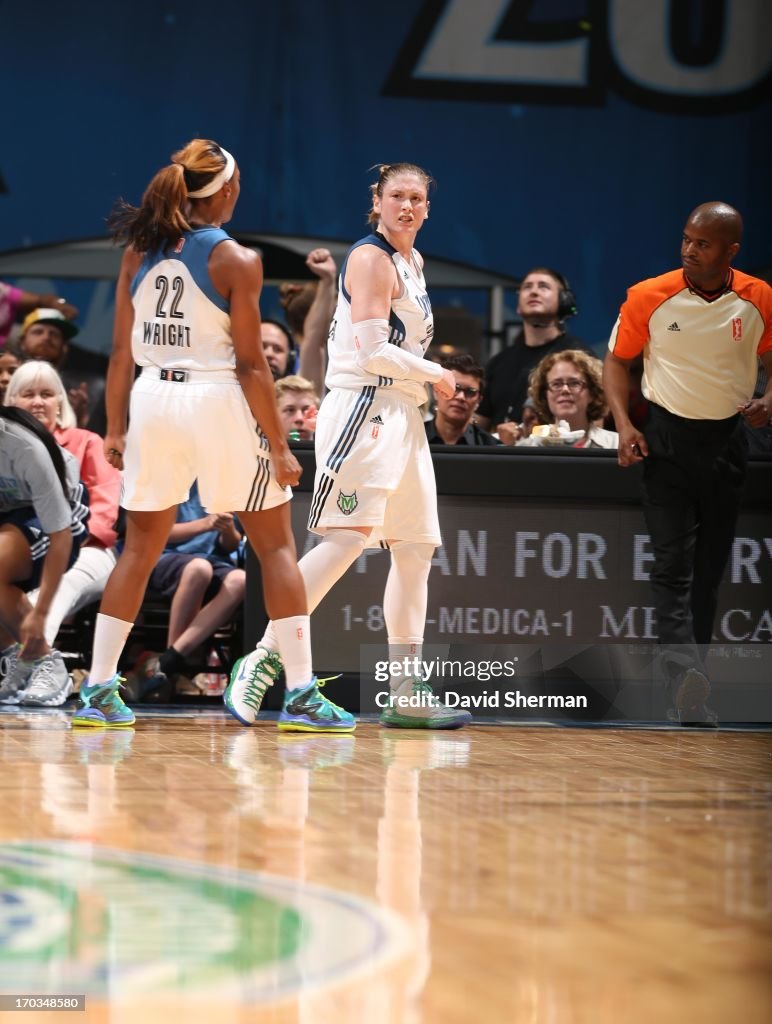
(693, 489)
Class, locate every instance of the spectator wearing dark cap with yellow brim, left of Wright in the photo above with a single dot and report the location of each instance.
(47, 334)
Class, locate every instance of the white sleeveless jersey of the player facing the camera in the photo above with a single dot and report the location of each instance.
(411, 324)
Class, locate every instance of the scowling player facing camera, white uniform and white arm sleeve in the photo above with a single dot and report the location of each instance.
(375, 480)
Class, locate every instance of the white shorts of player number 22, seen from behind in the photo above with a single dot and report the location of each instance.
(198, 429)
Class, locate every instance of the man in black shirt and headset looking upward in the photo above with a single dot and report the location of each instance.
(545, 303)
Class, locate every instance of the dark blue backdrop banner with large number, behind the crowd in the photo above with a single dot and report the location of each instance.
(577, 134)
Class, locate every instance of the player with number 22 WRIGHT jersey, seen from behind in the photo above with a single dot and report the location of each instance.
(188, 314)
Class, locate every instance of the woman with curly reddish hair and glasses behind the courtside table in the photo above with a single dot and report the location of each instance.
(568, 387)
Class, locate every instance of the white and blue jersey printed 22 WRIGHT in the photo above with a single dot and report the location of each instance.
(181, 320)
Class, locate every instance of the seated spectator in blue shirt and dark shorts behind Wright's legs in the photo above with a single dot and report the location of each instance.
(205, 588)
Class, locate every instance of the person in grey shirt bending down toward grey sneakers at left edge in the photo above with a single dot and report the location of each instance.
(44, 514)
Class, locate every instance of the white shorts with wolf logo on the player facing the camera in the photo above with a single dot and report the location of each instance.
(374, 468)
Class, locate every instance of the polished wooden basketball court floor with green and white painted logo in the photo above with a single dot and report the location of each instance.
(192, 870)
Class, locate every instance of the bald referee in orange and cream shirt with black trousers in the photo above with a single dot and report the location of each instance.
(702, 330)
